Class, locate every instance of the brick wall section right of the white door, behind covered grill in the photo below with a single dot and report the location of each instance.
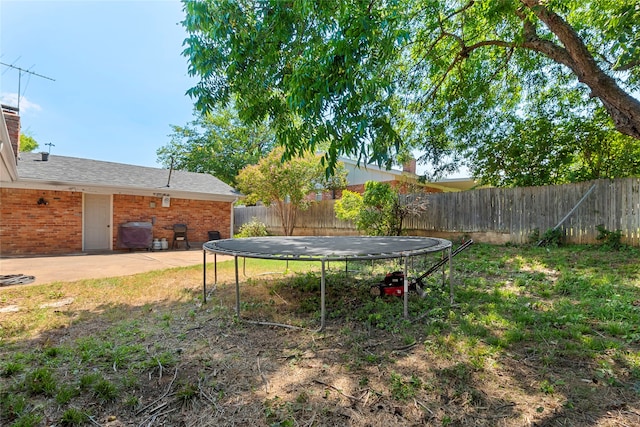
(200, 216)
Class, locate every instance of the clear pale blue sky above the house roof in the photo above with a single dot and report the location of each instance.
(120, 78)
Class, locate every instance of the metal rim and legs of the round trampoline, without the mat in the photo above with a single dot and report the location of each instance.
(214, 247)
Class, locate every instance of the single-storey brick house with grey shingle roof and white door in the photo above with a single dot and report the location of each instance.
(53, 204)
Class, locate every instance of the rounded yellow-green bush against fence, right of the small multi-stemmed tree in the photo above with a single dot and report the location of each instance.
(379, 211)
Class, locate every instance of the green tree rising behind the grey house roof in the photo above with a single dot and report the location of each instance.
(217, 143)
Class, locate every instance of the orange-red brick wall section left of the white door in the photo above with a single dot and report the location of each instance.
(29, 228)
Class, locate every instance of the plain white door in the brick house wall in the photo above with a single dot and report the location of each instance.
(97, 222)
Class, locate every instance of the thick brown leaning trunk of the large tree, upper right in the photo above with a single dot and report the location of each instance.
(622, 107)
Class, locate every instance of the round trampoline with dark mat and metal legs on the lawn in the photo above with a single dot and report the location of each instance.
(325, 249)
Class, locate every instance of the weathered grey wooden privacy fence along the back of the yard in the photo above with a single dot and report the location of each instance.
(499, 214)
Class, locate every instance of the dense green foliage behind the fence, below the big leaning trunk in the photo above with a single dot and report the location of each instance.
(545, 147)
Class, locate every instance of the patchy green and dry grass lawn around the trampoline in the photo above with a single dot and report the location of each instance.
(571, 314)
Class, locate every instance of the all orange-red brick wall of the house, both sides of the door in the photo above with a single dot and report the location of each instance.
(29, 228)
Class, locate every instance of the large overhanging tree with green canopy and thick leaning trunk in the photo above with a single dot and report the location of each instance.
(374, 78)
